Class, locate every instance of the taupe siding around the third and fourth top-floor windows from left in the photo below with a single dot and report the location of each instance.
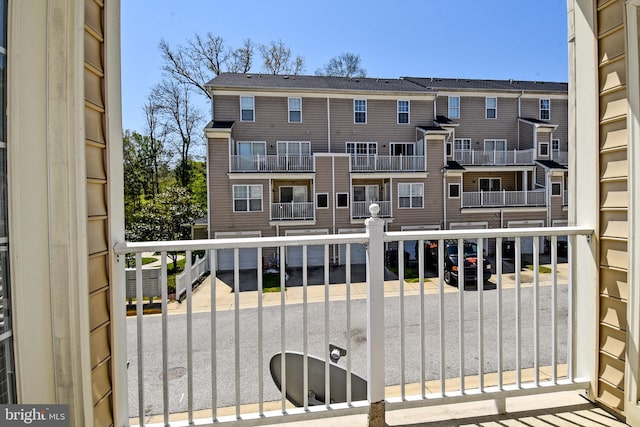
(381, 126)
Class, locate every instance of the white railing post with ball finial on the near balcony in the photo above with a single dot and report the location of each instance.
(375, 317)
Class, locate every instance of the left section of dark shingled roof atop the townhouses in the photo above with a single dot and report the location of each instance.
(269, 81)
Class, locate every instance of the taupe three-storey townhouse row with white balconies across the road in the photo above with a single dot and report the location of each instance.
(292, 155)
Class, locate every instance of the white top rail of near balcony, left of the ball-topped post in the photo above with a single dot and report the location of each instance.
(245, 242)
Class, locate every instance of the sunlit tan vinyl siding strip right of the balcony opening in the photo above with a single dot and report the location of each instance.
(613, 203)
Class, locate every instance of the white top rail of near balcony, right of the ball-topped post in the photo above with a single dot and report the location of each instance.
(393, 236)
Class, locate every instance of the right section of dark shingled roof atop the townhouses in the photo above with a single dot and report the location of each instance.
(500, 85)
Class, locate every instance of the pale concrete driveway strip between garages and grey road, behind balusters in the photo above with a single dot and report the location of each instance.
(225, 298)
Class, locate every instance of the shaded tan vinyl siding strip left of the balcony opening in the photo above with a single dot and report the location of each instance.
(98, 214)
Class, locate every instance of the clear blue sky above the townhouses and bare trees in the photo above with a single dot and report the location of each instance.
(490, 39)
